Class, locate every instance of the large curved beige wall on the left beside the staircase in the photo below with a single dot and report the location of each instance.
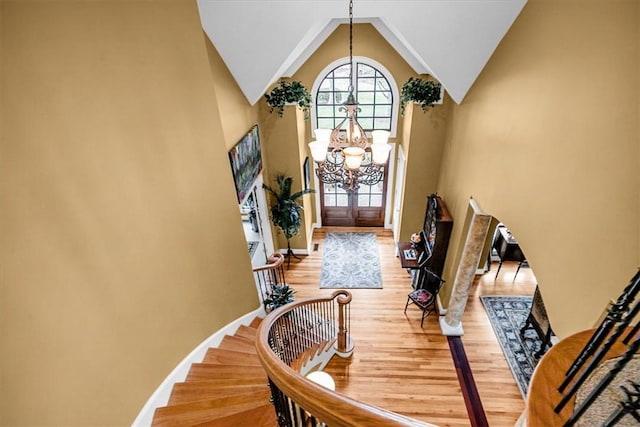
(122, 247)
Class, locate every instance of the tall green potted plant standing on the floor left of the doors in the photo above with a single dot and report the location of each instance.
(285, 211)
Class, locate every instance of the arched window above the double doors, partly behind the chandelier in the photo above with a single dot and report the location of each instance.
(374, 88)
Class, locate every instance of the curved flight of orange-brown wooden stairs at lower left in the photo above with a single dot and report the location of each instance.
(228, 388)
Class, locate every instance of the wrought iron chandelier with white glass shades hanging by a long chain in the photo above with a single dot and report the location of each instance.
(351, 161)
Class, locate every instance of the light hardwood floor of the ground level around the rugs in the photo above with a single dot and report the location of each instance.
(407, 369)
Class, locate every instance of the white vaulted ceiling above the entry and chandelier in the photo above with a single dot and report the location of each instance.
(261, 41)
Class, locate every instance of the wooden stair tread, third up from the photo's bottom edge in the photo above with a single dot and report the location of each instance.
(206, 390)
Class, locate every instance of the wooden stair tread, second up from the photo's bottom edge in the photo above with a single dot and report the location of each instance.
(208, 410)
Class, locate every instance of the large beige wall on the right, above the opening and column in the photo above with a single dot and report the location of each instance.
(547, 141)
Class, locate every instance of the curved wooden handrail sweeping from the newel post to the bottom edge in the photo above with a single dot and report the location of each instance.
(332, 408)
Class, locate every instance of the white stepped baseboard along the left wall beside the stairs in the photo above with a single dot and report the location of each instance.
(160, 397)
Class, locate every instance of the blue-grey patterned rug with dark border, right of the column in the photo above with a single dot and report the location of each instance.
(507, 315)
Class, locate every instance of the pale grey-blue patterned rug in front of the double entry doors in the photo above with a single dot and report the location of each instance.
(350, 261)
